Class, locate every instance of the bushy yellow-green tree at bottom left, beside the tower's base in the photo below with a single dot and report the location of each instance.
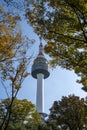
(23, 115)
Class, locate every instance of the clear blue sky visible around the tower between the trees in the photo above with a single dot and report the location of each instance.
(60, 83)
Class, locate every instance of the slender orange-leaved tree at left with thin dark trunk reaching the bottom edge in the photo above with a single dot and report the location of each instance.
(13, 59)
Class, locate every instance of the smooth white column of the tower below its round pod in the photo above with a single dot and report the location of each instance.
(40, 93)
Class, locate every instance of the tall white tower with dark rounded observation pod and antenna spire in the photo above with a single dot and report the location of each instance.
(40, 72)
